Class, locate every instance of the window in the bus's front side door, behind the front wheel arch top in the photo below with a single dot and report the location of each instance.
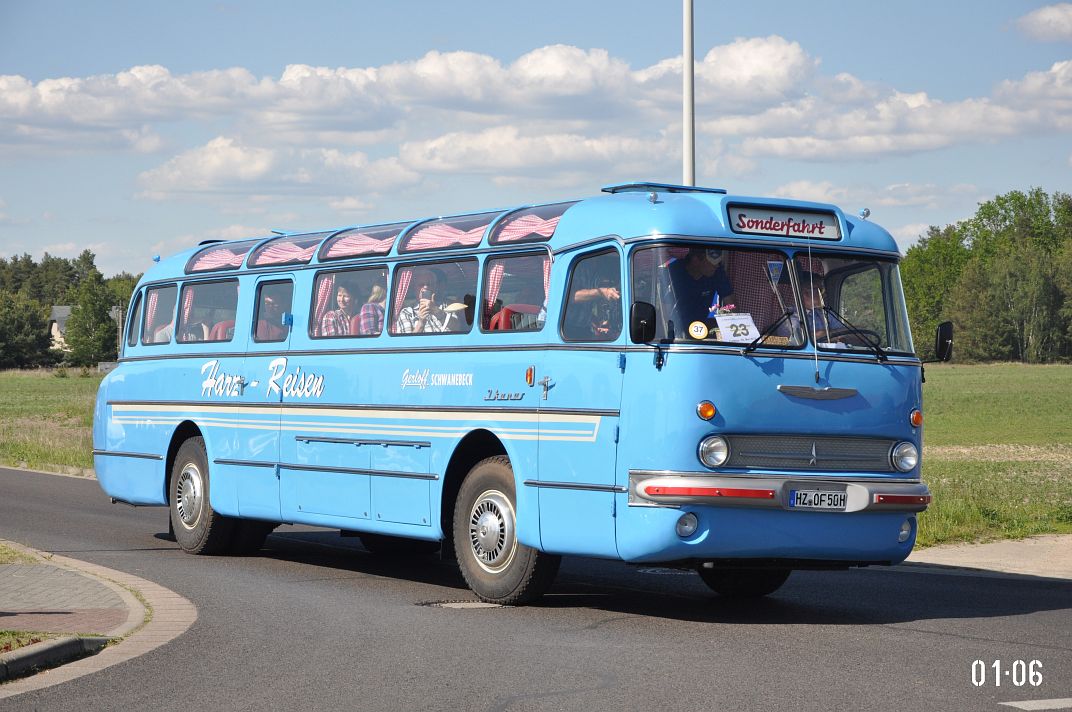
(594, 300)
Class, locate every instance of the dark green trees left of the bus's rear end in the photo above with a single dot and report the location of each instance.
(28, 292)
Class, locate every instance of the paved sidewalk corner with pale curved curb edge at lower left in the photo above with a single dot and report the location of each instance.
(90, 606)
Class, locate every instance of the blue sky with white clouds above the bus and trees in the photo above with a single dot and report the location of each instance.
(137, 129)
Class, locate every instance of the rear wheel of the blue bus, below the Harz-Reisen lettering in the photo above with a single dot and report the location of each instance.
(198, 528)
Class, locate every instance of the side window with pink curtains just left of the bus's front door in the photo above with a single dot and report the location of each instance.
(515, 293)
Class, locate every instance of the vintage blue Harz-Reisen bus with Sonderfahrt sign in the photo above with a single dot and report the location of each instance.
(660, 375)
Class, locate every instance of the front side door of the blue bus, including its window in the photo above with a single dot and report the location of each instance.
(580, 396)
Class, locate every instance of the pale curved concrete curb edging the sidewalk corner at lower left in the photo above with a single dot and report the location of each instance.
(168, 617)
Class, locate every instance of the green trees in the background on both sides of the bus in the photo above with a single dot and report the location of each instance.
(1004, 277)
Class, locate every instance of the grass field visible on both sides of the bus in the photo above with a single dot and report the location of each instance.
(997, 452)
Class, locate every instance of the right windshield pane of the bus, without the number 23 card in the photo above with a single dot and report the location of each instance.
(854, 304)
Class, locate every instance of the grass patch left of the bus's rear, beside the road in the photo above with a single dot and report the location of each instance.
(46, 422)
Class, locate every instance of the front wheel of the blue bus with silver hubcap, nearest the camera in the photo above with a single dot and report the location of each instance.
(498, 568)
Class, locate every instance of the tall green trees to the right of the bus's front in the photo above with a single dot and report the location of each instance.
(1004, 277)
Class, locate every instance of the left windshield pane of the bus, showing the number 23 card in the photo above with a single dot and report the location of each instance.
(719, 295)
